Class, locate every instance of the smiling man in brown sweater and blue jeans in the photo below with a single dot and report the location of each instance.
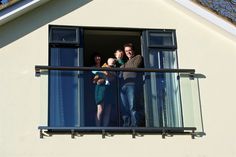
(131, 88)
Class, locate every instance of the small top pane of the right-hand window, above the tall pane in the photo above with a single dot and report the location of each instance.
(161, 39)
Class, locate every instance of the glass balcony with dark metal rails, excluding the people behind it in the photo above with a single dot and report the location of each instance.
(168, 103)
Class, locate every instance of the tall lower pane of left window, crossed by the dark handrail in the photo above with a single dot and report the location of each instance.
(63, 88)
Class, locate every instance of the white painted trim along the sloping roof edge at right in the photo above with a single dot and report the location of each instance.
(208, 16)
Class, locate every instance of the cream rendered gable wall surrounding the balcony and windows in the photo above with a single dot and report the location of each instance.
(201, 45)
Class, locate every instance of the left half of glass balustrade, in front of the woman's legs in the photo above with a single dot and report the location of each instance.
(68, 99)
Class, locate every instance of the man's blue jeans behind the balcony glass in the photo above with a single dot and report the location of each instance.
(128, 108)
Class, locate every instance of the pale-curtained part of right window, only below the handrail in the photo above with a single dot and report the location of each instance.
(162, 100)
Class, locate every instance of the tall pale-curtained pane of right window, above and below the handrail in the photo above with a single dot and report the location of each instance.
(165, 106)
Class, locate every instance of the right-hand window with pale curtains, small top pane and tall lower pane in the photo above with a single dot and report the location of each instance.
(165, 108)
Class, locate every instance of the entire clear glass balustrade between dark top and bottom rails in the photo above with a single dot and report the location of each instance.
(68, 99)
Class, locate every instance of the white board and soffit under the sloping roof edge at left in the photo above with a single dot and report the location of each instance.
(18, 9)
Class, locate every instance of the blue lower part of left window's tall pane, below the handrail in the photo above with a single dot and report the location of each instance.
(63, 98)
